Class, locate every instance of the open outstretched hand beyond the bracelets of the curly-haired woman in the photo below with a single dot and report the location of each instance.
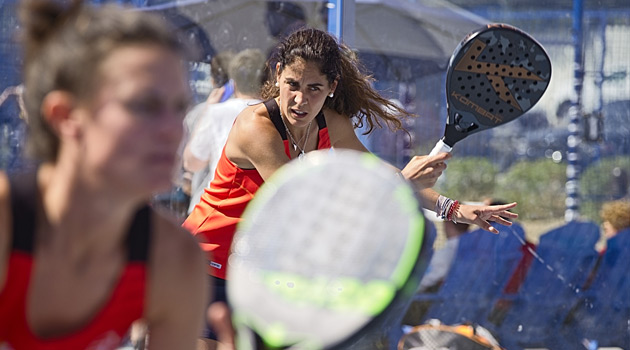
(482, 215)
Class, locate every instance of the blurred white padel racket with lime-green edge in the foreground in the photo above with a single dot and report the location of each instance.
(330, 249)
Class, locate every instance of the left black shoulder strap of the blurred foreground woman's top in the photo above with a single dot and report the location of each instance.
(24, 198)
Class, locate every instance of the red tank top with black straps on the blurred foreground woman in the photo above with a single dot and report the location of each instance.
(110, 324)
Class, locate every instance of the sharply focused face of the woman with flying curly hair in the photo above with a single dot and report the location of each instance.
(303, 91)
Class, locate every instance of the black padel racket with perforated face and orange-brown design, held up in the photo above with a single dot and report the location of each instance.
(495, 75)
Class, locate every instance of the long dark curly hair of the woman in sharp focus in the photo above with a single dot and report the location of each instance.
(354, 96)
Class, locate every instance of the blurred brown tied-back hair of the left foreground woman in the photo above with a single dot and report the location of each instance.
(64, 44)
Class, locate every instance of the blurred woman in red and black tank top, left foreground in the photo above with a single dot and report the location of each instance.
(82, 255)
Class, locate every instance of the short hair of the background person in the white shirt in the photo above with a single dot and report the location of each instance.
(247, 69)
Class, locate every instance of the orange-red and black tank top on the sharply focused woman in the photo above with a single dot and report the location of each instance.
(215, 217)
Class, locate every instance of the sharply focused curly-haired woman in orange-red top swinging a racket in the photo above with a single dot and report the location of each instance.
(315, 92)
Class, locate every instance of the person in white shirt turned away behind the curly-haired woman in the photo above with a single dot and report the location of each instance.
(210, 132)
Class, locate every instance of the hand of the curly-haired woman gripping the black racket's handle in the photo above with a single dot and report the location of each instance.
(423, 171)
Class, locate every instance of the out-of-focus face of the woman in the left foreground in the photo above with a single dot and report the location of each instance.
(134, 126)
